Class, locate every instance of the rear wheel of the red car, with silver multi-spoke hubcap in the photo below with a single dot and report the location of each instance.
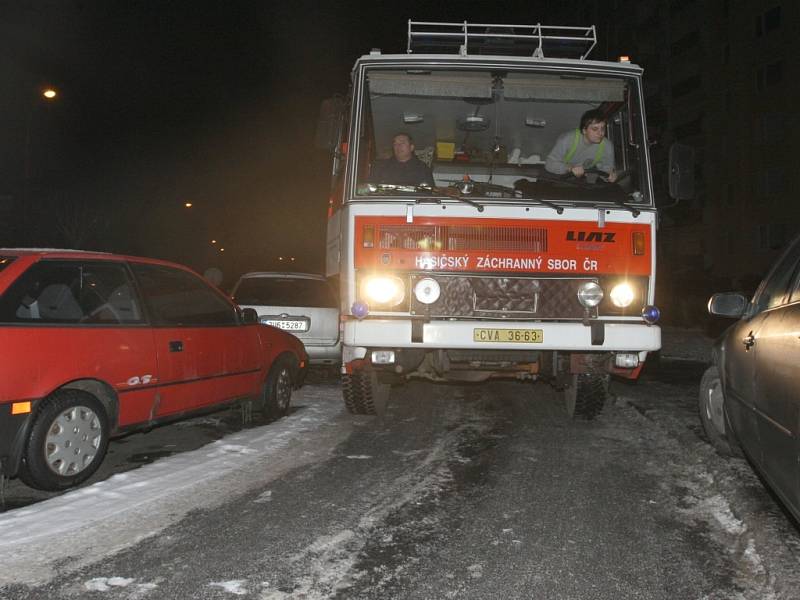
(57, 457)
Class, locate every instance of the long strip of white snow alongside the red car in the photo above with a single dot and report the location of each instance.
(33, 538)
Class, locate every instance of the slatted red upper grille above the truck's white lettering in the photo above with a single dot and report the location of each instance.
(462, 237)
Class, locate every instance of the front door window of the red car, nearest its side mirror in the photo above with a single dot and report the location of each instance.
(176, 297)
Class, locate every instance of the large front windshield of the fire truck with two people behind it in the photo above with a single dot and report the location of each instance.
(516, 132)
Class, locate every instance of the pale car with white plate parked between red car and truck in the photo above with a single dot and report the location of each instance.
(303, 304)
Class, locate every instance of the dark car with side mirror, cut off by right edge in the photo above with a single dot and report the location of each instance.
(750, 397)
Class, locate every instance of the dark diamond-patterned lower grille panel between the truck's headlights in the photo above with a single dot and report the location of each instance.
(491, 297)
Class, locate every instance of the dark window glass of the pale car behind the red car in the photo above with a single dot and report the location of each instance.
(272, 291)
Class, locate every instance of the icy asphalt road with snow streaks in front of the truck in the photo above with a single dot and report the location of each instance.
(479, 491)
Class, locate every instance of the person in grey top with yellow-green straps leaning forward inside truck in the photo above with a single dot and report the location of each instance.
(584, 148)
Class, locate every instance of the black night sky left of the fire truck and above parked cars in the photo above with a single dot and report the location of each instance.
(163, 103)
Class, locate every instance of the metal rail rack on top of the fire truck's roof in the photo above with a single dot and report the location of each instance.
(508, 40)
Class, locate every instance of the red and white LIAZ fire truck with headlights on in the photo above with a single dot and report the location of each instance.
(501, 266)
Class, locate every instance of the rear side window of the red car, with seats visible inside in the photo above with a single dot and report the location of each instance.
(52, 291)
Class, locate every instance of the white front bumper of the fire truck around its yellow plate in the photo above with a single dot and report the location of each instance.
(635, 336)
